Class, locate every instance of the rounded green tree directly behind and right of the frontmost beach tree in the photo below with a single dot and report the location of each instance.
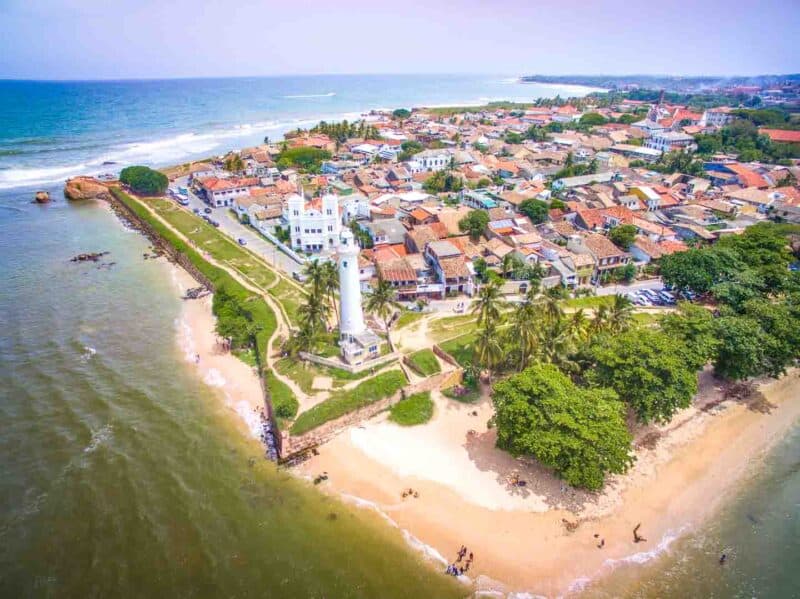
(648, 370)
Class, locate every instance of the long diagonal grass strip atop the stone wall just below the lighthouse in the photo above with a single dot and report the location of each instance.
(342, 402)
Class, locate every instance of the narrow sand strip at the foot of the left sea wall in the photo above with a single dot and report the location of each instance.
(200, 346)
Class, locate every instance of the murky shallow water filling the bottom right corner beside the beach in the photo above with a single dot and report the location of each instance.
(758, 530)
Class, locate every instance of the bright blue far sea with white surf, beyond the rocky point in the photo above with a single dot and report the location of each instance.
(54, 130)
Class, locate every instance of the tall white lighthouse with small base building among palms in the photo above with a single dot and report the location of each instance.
(357, 342)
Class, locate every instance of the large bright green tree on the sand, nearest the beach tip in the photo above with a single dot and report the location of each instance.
(578, 432)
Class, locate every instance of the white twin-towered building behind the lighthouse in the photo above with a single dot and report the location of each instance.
(313, 226)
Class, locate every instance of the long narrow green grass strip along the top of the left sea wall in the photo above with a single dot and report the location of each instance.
(283, 401)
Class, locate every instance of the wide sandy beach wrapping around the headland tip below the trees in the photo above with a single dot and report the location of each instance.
(517, 534)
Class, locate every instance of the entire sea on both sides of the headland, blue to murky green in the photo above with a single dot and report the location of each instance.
(124, 475)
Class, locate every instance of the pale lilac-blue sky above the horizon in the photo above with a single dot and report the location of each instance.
(116, 39)
